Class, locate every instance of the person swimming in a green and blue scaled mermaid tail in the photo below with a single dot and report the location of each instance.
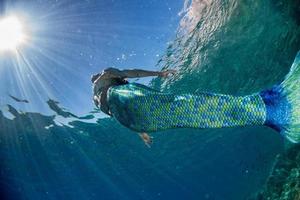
(143, 109)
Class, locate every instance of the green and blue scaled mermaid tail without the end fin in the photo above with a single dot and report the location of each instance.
(143, 109)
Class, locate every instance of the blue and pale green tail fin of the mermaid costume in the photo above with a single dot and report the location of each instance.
(283, 104)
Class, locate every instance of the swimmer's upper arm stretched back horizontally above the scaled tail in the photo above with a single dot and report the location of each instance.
(135, 73)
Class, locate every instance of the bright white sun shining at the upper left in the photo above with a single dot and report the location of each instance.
(11, 34)
